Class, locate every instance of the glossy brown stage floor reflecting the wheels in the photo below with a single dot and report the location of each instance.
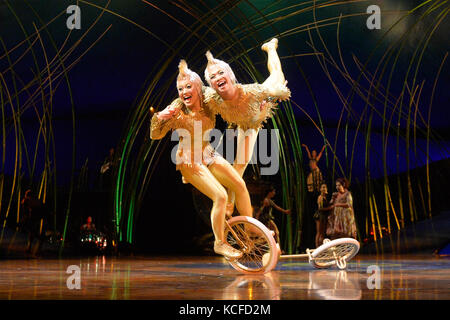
(404, 277)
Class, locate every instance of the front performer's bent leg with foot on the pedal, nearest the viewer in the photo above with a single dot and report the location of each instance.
(202, 179)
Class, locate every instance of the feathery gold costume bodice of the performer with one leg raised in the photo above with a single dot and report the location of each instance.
(247, 112)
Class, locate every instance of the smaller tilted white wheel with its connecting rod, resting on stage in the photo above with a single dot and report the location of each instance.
(335, 252)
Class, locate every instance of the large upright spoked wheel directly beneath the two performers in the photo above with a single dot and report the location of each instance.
(255, 241)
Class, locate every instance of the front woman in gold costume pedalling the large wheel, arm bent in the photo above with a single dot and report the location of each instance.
(197, 161)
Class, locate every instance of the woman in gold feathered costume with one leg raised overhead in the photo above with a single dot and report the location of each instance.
(249, 105)
